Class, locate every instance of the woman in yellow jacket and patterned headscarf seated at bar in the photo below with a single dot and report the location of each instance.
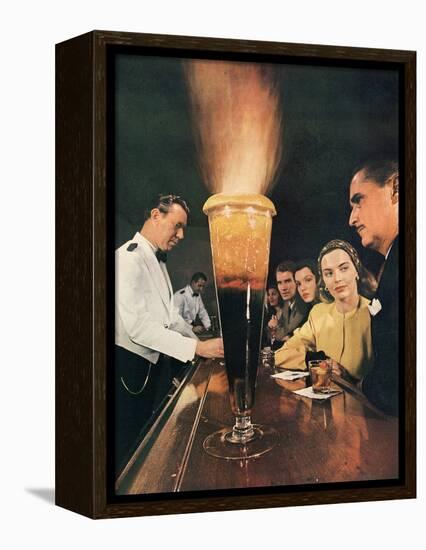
(340, 326)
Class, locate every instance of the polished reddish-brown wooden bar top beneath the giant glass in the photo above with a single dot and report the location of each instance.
(340, 439)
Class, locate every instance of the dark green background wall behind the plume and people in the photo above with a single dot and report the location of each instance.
(333, 118)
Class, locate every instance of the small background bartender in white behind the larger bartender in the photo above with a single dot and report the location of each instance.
(190, 305)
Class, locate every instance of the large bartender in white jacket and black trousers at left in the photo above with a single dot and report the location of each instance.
(149, 333)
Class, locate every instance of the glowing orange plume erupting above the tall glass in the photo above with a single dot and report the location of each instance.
(237, 123)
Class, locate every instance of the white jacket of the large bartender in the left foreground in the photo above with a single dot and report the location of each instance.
(146, 321)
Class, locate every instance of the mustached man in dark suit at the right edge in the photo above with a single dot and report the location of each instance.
(374, 199)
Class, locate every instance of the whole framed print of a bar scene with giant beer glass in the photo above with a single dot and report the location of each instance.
(235, 275)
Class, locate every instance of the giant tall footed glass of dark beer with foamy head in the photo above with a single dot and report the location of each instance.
(240, 234)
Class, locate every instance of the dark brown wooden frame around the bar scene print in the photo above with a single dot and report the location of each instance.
(84, 229)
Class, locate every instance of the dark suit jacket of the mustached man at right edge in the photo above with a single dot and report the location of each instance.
(381, 384)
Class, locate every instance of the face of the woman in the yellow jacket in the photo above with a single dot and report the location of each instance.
(339, 275)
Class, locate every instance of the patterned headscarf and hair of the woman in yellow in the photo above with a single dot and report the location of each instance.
(367, 284)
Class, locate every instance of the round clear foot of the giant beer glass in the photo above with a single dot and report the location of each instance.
(219, 444)
